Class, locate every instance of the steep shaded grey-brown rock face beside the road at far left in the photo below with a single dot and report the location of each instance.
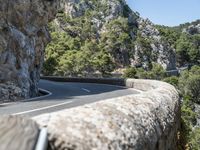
(23, 36)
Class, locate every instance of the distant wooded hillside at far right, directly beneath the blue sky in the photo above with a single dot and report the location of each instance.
(185, 38)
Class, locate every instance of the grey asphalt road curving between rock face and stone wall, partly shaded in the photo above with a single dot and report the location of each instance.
(64, 95)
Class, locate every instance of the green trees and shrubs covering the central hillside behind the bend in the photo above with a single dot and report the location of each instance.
(78, 48)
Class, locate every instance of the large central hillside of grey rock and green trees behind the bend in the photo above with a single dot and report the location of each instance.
(90, 36)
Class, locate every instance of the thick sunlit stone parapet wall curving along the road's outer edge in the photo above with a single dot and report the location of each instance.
(145, 121)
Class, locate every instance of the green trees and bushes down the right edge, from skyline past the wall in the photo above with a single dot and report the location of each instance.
(185, 39)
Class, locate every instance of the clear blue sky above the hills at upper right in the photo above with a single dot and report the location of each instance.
(167, 12)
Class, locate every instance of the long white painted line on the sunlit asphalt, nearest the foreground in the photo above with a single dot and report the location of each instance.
(43, 108)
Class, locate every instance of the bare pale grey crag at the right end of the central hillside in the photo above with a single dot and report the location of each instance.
(159, 51)
